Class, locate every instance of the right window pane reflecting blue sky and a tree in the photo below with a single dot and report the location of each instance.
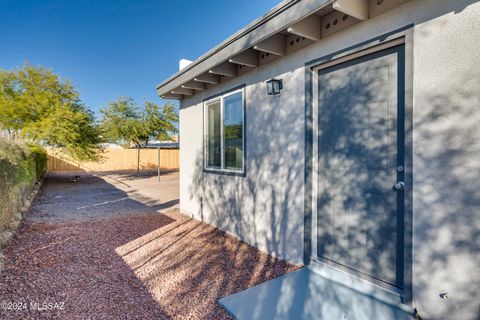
(233, 131)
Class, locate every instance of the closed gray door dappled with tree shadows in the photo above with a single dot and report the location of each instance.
(360, 165)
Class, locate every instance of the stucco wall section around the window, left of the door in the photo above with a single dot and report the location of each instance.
(253, 207)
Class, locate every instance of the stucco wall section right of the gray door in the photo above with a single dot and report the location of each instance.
(446, 159)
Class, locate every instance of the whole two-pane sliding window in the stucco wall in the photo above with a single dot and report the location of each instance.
(224, 132)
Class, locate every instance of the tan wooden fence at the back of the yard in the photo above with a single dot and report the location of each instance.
(116, 160)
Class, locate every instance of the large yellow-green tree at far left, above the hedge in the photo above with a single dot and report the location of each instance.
(36, 105)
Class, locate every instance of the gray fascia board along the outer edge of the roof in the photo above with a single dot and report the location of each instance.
(273, 25)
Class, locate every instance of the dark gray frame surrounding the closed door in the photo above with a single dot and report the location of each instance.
(394, 39)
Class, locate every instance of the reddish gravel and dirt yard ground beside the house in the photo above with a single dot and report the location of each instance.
(93, 256)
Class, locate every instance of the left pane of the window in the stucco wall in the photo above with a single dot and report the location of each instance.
(214, 135)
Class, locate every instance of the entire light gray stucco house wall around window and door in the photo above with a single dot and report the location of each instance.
(265, 208)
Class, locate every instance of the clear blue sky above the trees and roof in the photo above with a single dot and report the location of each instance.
(112, 48)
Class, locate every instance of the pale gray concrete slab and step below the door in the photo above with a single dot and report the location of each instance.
(316, 292)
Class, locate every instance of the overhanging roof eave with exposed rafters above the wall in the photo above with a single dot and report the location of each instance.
(290, 26)
